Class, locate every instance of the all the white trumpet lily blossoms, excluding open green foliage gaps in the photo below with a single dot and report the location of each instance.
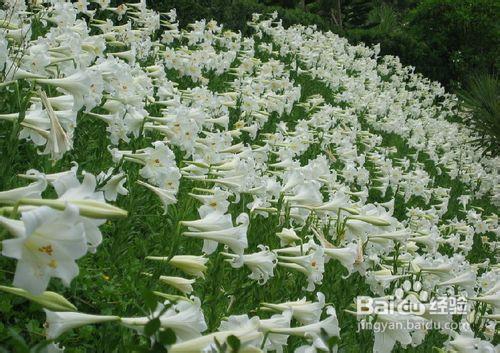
(314, 175)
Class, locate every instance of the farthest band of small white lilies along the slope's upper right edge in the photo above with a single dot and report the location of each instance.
(392, 99)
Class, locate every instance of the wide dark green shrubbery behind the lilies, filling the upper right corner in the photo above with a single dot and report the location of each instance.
(444, 39)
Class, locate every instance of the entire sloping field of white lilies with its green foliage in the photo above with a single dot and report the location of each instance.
(167, 189)
